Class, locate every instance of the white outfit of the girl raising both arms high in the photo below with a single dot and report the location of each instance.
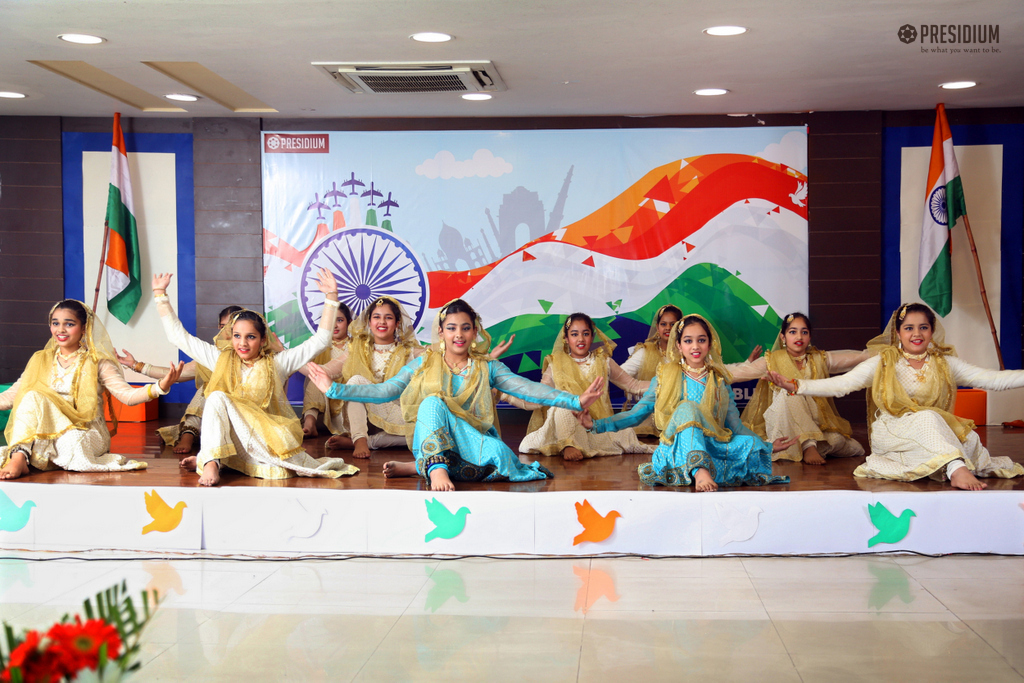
(224, 425)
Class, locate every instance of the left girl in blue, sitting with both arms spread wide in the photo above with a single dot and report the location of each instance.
(447, 394)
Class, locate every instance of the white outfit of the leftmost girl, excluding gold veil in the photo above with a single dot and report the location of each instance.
(74, 450)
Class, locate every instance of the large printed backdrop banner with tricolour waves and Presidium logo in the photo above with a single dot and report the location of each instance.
(531, 227)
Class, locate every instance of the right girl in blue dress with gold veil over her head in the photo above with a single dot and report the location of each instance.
(703, 441)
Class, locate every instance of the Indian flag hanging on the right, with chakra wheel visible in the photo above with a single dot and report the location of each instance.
(944, 206)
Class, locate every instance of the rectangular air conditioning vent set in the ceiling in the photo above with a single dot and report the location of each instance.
(407, 77)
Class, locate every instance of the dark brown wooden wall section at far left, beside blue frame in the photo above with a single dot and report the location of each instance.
(31, 237)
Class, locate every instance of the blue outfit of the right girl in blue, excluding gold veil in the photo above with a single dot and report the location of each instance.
(744, 460)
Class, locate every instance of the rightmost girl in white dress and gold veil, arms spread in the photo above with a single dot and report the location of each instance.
(913, 388)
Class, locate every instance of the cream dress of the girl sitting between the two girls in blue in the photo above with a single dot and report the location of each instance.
(562, 430)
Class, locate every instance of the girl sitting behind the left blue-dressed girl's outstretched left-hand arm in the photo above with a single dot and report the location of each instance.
(383, 341)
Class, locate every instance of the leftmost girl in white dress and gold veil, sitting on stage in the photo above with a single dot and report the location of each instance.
(58, 414)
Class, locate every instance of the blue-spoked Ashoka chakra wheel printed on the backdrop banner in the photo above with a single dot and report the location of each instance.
(368, 264)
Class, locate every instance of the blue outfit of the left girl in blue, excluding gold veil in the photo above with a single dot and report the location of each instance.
(443, 440)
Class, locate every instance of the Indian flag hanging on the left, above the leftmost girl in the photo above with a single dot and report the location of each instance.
(123, 285)
